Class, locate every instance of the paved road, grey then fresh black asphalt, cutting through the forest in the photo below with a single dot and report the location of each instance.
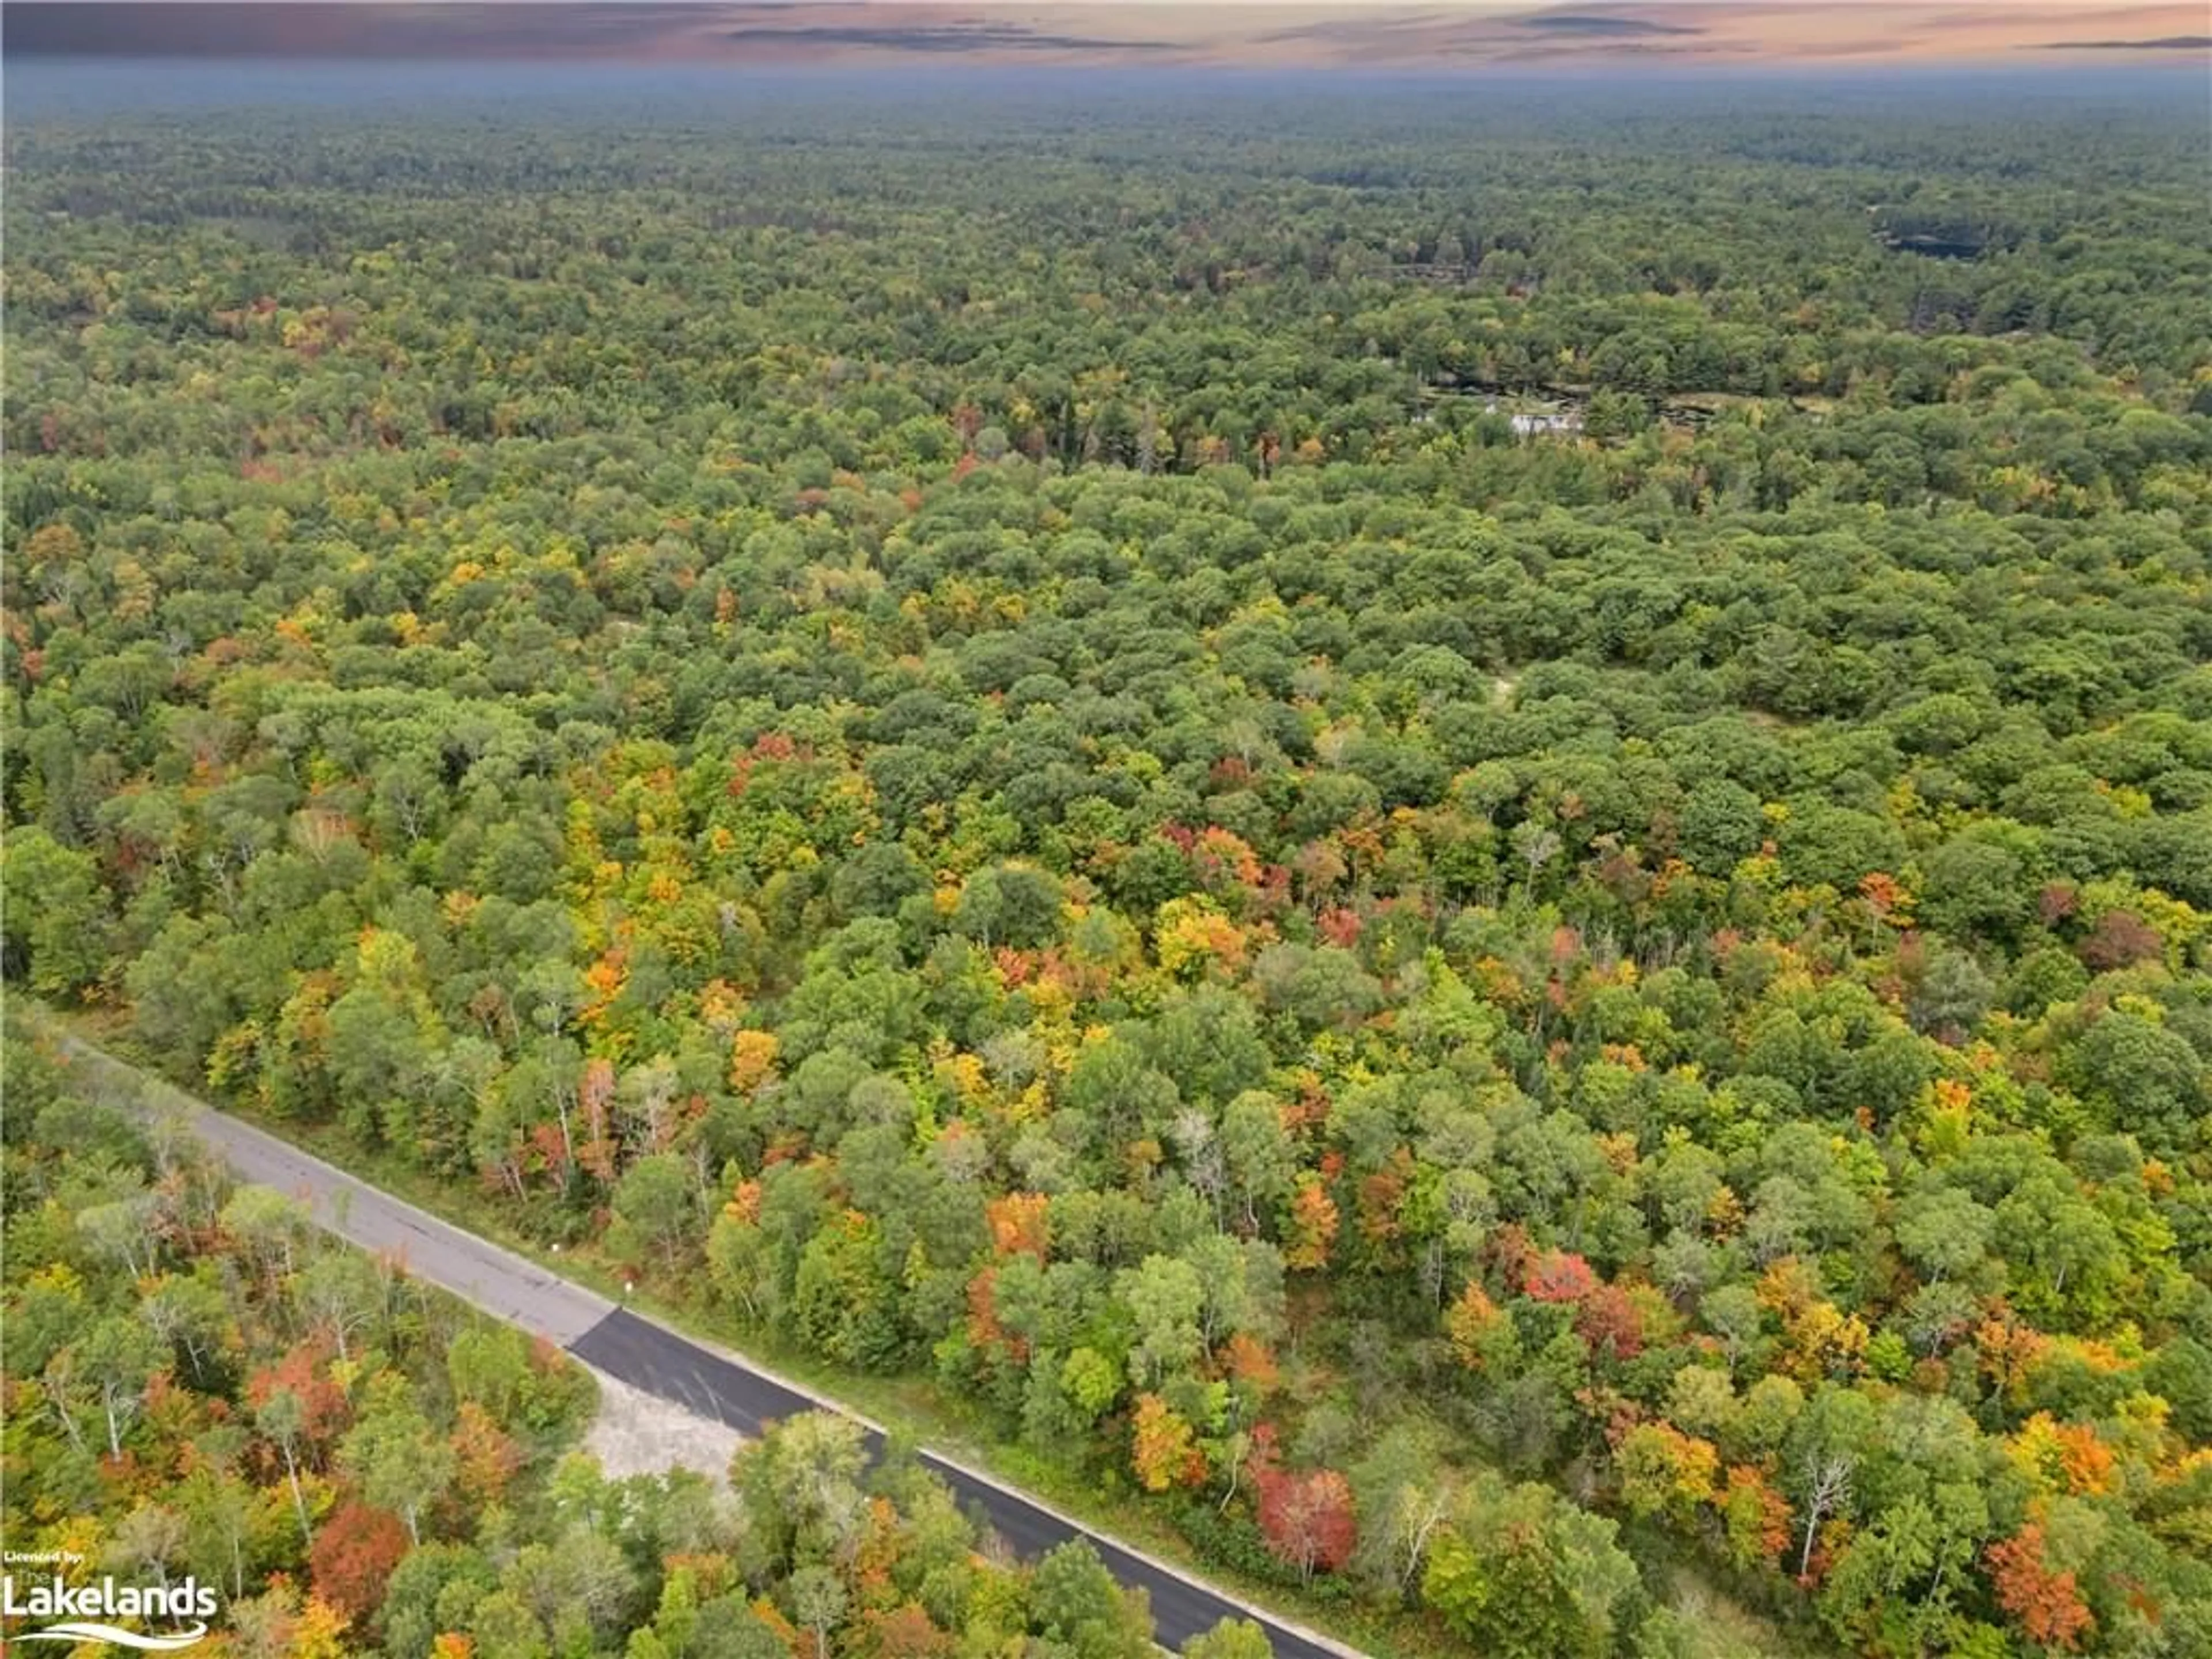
(665, 1364)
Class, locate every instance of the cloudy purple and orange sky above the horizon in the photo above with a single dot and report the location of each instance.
(1339, 34)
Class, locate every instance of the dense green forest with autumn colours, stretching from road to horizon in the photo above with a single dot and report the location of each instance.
(966, 733)
